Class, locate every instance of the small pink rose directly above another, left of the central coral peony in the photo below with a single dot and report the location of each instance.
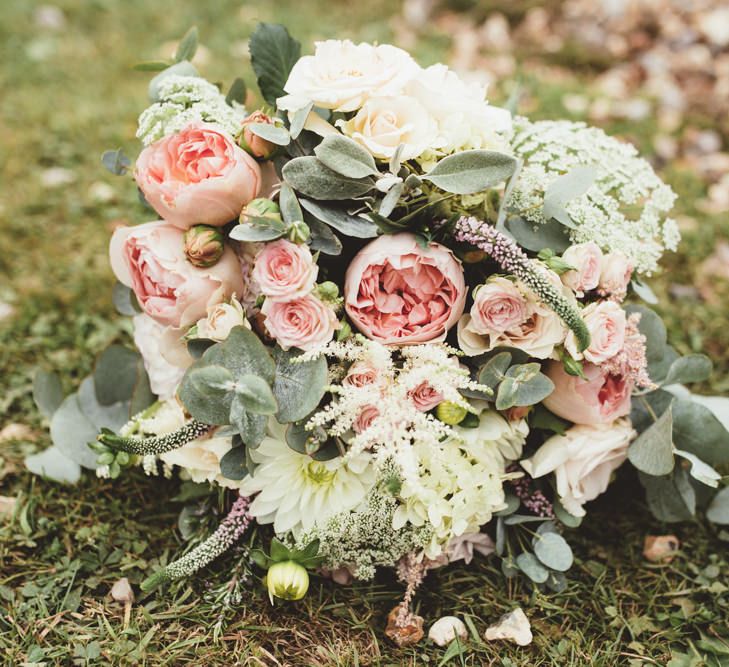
(285, 270)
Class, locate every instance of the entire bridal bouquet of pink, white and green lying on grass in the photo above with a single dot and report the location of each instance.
(401, 325)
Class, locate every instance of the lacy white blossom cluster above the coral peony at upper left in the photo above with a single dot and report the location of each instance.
(184, 100)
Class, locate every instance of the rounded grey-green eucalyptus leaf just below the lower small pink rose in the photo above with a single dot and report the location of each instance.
(298, 386)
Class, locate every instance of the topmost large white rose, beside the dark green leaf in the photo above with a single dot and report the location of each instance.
(342, 75)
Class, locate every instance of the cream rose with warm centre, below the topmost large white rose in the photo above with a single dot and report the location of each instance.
(383, 123)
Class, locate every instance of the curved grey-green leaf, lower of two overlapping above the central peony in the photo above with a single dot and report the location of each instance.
(312, 178)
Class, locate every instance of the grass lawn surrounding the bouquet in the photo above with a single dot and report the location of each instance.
(66, 97)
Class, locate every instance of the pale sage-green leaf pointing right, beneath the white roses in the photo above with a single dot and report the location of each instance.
(471, 171)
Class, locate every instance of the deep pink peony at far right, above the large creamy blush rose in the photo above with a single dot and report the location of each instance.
(601, 398)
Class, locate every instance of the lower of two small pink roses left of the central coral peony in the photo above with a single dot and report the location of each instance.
(305, 323)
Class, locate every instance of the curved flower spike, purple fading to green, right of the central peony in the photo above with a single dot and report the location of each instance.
(513, 259)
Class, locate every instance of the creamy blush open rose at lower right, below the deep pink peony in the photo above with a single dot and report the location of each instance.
(582, 461)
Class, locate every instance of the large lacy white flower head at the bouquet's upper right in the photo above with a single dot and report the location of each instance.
(623, 210)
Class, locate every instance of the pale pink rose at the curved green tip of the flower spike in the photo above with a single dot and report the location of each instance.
(606, 322)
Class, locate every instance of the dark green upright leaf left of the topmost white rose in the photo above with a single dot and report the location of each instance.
(273, 55)
